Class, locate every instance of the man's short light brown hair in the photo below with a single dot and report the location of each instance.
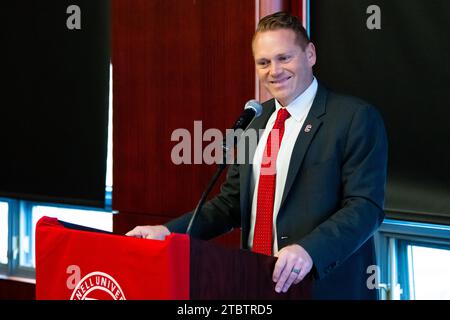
(284, 20)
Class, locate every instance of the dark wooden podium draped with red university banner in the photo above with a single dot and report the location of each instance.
(79, 263)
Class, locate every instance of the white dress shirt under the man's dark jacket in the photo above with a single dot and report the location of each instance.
(298, 110)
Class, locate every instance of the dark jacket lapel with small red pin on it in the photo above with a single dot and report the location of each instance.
(310, 127)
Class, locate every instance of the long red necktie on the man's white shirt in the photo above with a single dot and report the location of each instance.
(262, 239)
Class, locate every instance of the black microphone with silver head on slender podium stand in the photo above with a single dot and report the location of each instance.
(252, 109)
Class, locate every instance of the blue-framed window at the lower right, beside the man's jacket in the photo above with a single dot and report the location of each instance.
(414, 260)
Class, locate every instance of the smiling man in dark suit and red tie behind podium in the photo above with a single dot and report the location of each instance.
(313, 194)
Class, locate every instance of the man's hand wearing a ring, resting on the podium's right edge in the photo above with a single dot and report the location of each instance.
(293, 264)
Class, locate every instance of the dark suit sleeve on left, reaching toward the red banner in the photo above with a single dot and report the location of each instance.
(219, 215)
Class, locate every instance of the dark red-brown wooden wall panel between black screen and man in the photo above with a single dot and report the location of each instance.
(174, 61)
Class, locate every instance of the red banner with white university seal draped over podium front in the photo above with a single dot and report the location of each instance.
(84, 265)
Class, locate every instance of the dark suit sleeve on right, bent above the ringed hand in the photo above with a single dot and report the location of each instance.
(363, 177)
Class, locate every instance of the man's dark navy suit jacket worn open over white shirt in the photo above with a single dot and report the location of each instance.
(333, 198)
